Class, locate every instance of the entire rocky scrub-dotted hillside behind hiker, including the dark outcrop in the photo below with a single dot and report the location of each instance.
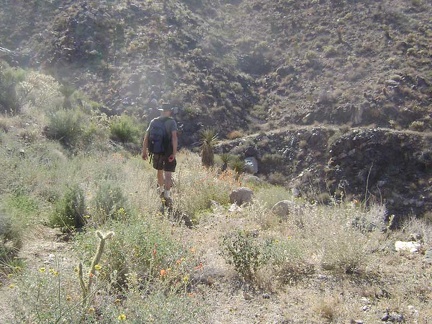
(358, 71)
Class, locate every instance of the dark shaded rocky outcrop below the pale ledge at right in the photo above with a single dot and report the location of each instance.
(373, 165)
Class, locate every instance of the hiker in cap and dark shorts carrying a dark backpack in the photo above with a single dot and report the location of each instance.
(160, 143)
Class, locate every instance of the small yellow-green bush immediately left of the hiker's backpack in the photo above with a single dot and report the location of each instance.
(124, 129)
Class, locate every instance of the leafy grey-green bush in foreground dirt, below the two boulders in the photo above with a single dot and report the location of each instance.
(243, 250)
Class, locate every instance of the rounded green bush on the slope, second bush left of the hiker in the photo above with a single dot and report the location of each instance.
(66, 126)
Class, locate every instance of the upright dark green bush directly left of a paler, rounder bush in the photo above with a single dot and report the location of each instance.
(70, 210)
